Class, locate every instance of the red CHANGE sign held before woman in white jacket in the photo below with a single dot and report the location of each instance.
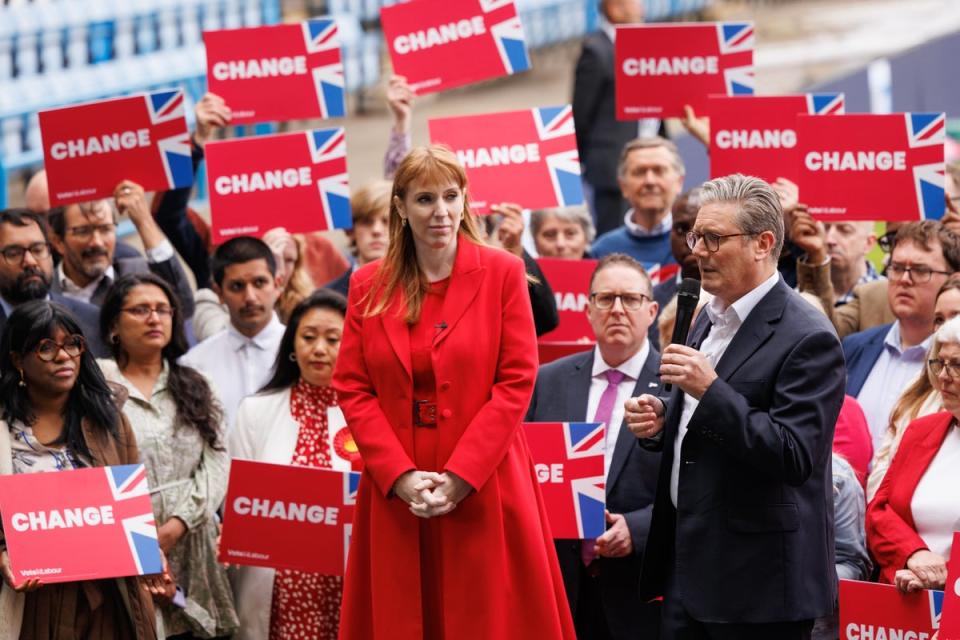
(288, 517)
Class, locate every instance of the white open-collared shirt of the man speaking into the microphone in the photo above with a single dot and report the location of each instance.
(726, 323)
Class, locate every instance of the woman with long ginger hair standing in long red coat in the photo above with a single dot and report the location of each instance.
(436, 369)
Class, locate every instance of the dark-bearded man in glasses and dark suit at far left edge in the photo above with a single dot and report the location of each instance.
(26, 269)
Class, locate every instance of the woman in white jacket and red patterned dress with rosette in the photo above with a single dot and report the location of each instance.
(295, 420)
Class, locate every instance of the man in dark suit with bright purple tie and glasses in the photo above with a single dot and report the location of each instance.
(601, 576)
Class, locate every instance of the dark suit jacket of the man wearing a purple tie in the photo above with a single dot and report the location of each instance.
(561, 395)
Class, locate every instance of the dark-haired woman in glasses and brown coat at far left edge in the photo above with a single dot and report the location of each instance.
(58, 413)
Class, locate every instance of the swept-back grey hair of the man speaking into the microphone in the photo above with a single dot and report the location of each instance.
(758, 206)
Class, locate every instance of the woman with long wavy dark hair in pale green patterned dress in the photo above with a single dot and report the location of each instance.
(179, 425)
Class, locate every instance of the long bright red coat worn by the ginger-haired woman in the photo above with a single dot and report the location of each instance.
(501, 578)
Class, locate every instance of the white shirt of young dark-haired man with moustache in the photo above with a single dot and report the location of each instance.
(239, 366)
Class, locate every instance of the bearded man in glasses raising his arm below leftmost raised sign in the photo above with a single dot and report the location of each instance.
(85, 236)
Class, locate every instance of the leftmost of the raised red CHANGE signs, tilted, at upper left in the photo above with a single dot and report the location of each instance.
(89, 148)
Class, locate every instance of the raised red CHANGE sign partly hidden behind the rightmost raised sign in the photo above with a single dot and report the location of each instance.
(757, 136)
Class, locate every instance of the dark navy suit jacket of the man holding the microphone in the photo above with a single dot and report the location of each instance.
(753, 538)
